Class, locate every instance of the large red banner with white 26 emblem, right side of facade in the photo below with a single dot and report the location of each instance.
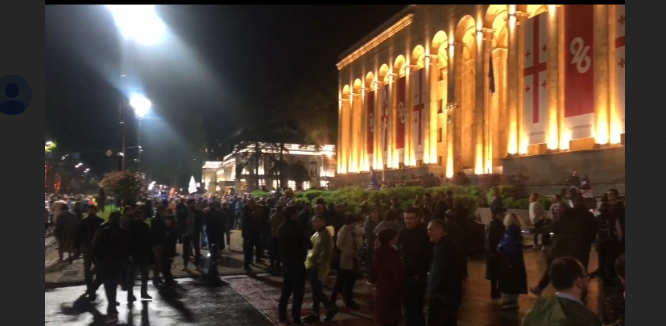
(579, 60)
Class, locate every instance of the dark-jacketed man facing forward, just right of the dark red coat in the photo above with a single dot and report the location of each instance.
(415, 251)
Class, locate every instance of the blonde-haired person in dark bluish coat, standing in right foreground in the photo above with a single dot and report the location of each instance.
(512, 271)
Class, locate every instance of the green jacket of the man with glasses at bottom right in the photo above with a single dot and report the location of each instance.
(555, 311)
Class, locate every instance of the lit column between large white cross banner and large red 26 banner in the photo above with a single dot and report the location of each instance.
(553, 79)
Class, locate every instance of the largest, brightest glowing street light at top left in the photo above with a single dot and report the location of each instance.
(139, 23)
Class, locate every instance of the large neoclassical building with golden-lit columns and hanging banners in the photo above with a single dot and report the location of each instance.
(531, 89)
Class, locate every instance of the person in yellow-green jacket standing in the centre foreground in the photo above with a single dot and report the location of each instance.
(318, 265)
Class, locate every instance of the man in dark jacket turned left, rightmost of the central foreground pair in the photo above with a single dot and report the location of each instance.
(445, 288)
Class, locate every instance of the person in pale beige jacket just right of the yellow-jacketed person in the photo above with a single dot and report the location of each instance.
(350, 244)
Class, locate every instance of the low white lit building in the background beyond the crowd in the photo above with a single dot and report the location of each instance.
(312, 166)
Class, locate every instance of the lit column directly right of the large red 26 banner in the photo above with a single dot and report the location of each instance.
(602, 78)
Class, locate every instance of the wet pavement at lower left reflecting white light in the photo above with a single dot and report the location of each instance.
(190, 303)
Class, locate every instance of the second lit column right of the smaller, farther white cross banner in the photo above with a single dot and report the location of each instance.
(451, 163)
